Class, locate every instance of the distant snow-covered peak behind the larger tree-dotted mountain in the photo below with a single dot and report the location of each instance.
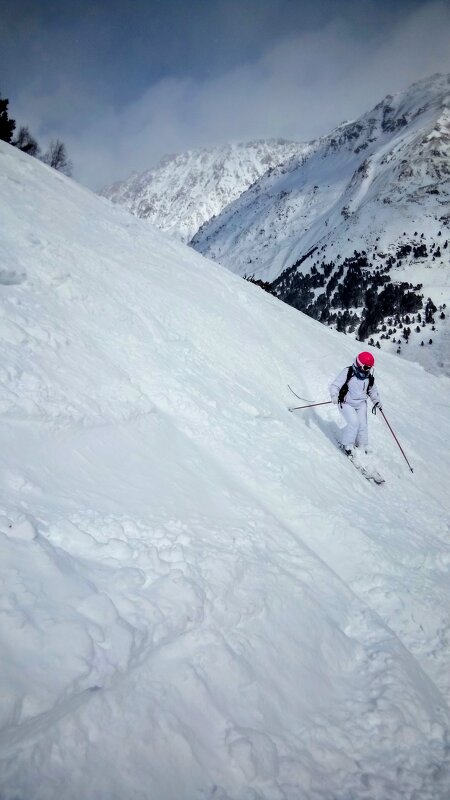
(187, 189)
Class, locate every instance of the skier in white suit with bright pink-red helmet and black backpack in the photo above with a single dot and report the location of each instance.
(350, 391)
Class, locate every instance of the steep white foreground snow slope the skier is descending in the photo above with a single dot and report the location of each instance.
(201, 598)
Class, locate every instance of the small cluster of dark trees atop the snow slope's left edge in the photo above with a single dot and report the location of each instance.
(56, 154)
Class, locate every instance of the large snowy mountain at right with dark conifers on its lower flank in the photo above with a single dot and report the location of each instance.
(367, 206)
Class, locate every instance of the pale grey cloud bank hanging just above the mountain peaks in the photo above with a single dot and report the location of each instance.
(300, 87)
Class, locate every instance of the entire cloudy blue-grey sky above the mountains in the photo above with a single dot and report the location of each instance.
(124, 83)
